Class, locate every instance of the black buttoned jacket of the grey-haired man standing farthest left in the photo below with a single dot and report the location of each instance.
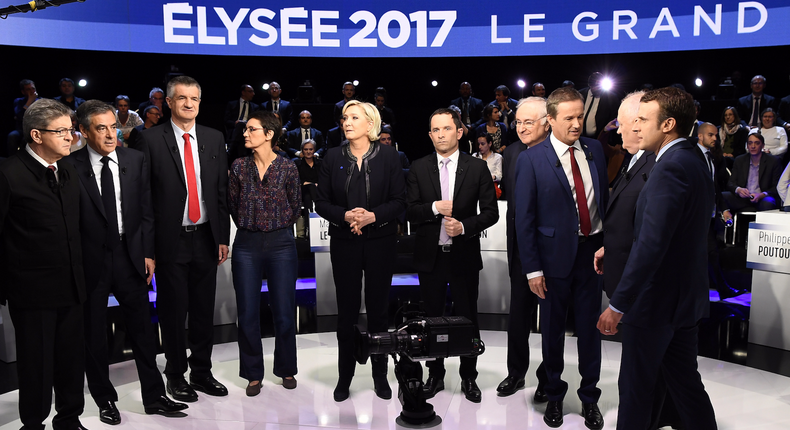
(39, 233)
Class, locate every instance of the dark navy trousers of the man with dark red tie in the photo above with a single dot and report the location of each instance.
(582, 289)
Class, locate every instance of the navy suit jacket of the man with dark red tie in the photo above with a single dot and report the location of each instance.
(546, 214)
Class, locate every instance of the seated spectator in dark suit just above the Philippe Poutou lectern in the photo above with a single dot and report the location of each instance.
(754, 178)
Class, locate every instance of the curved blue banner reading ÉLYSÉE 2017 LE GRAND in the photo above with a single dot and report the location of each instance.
(430, 28)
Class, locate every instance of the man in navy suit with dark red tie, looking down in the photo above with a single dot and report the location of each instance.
(557, 240)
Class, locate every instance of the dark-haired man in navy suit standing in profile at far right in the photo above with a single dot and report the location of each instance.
(663, 292)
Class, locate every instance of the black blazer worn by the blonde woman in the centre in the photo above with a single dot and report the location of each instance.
(386, 190)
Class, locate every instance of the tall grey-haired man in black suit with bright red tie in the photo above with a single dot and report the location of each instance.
(192, 232)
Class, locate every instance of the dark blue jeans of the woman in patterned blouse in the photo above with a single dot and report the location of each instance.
(274, 253)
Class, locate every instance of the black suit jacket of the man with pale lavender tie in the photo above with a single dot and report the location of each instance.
(473, 187)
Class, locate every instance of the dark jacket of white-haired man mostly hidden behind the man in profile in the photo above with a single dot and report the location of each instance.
(619, 224)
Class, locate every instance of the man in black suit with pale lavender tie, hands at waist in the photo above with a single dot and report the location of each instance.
(444, 190)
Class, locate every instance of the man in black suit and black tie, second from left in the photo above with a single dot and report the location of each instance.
(117, 229)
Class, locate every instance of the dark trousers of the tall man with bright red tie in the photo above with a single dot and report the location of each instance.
(187, 285)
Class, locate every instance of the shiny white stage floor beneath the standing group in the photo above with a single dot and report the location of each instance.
(744, 398)
